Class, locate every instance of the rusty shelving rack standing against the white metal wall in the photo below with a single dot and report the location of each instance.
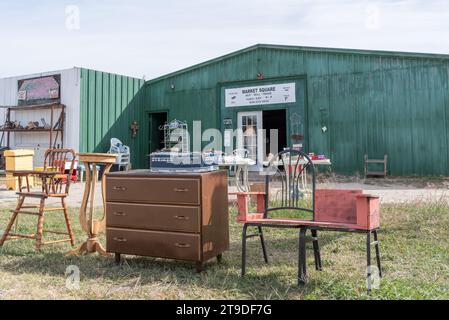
(55, 130)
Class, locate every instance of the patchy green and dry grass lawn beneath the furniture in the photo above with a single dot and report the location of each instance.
(414, 248)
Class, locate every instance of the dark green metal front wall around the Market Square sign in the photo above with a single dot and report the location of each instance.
(371, 102)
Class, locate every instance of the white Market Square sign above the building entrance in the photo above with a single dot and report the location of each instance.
(260, 95)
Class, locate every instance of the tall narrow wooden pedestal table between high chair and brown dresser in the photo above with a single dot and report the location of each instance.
(91, 226)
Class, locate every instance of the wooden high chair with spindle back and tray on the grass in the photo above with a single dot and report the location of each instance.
(56, 179)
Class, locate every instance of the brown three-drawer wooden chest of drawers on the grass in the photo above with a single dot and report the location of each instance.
(176, 216)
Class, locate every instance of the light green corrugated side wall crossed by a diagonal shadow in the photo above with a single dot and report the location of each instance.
(109, 104)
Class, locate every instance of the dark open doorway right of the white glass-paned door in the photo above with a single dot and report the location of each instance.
(275, 120)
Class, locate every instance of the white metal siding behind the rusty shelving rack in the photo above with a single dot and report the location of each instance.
(70, 96)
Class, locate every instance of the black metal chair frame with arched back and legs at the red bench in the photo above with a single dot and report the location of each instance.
(289, 201)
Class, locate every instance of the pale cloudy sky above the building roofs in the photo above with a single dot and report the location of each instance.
(151, 38)
